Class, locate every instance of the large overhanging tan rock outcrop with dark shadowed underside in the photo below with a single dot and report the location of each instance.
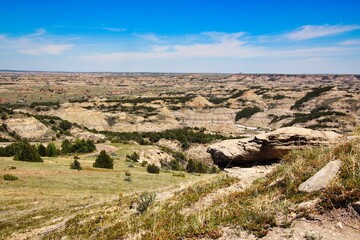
(268, 146)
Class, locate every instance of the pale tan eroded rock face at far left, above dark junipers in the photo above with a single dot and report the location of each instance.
(29, 128)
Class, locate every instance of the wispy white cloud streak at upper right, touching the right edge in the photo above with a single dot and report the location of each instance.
(316, 31)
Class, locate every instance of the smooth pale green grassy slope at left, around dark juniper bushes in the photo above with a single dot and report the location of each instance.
(49, 190)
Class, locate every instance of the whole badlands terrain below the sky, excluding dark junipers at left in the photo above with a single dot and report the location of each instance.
(254, 141)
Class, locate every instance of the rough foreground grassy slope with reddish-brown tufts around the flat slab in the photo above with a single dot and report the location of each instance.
(271, 201)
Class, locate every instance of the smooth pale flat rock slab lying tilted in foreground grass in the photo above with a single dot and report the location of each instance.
(322, 178)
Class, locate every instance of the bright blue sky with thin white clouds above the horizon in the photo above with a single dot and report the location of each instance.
(224, 36)
